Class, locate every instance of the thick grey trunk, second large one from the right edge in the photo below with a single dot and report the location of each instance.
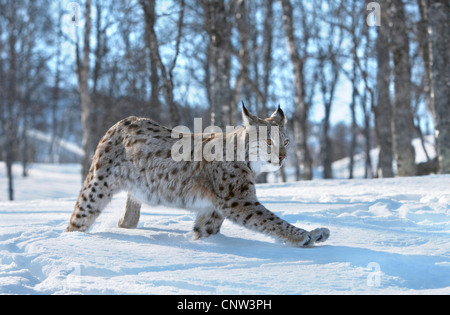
(402, 115)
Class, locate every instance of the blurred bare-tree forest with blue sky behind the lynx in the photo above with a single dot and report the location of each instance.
(350, 75)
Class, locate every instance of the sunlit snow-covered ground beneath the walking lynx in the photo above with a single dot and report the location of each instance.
(387, 236)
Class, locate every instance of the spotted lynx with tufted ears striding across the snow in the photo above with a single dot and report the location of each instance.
(135, 155)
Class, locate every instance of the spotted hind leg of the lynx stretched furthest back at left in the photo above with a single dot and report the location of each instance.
(94, 197)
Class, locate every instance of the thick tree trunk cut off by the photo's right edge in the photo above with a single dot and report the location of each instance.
(440, 77)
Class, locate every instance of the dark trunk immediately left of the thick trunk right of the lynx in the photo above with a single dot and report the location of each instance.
(383, 109)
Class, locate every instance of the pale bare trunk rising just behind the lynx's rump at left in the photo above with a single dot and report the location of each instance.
(85, 98)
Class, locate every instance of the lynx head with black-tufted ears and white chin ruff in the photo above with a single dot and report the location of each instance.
(268, 140)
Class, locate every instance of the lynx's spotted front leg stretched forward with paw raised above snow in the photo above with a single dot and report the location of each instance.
(253, 215)
